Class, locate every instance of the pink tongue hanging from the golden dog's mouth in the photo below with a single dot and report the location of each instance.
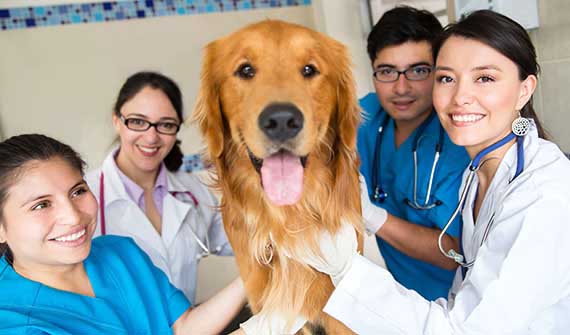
(282, 176)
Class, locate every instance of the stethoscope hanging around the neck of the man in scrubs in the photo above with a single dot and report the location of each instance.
(380, 194)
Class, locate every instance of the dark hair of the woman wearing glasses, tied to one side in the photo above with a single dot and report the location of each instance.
(135, 84)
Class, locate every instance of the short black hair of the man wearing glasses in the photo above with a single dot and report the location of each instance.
(400, 25)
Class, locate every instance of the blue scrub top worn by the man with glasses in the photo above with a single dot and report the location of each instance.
(397, 179)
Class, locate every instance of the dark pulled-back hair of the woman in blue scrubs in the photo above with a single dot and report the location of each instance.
(16, 152)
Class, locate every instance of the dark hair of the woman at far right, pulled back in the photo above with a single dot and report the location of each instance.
(507, 37)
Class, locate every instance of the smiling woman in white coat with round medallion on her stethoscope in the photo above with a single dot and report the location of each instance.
(515, 203)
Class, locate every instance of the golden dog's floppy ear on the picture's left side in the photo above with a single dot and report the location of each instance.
(207, 112)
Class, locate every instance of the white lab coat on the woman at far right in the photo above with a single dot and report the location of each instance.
(520, 282)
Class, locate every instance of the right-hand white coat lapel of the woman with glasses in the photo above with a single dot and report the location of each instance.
(174, 211)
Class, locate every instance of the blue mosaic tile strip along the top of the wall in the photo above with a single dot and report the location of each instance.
(41, 16)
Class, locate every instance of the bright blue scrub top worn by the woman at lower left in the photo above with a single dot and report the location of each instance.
(132, 296)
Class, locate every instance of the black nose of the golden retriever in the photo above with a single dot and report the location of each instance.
(281, 122)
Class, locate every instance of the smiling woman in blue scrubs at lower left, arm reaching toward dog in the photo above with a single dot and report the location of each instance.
(55, 280)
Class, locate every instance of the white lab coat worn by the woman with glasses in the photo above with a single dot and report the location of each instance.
(176, 251)
